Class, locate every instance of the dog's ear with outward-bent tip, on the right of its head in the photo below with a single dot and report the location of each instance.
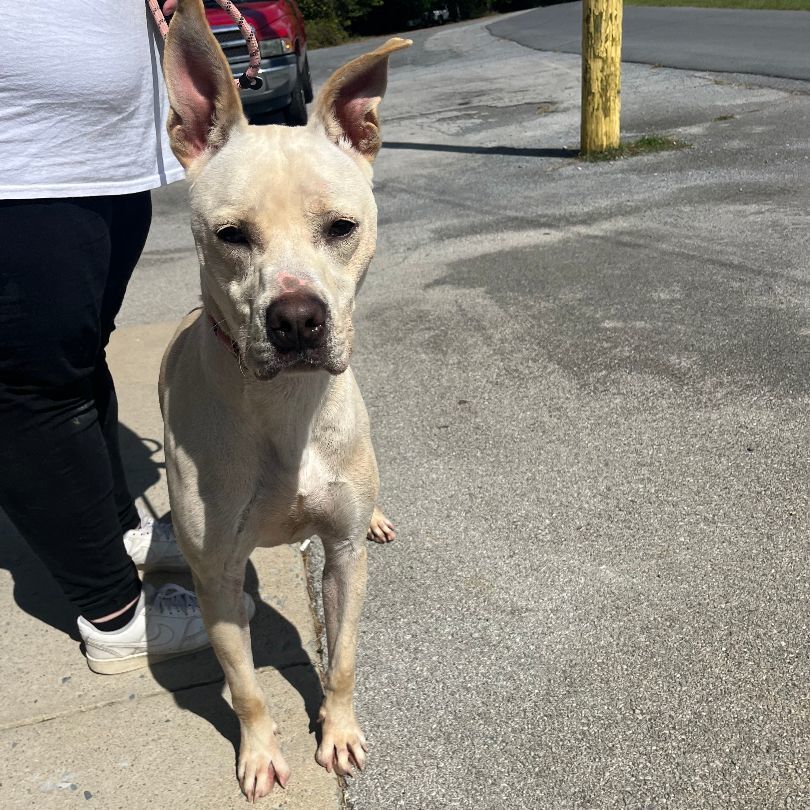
(346, 107)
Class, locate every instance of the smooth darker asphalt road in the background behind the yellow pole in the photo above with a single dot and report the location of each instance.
(766, 43)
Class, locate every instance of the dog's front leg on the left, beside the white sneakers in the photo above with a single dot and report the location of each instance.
(260, 759)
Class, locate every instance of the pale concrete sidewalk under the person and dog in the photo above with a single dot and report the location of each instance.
(162, 736)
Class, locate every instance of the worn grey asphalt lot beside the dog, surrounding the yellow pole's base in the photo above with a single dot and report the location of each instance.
(588, 384)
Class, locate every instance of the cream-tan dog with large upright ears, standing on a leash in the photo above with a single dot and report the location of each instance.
(267, 437)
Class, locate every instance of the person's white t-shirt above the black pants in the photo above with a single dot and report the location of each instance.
(82, 102)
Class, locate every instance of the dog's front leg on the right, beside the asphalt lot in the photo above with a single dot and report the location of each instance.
(344, 588)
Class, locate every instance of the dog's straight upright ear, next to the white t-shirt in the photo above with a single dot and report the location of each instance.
(204, 101)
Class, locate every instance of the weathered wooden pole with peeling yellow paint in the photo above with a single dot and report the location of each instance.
(601, 74)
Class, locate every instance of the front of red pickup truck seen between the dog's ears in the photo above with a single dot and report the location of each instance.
(279, 27)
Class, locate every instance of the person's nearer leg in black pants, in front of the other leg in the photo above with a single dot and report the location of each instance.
(56, 476)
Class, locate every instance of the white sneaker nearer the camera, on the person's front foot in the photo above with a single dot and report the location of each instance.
(167, 623)
